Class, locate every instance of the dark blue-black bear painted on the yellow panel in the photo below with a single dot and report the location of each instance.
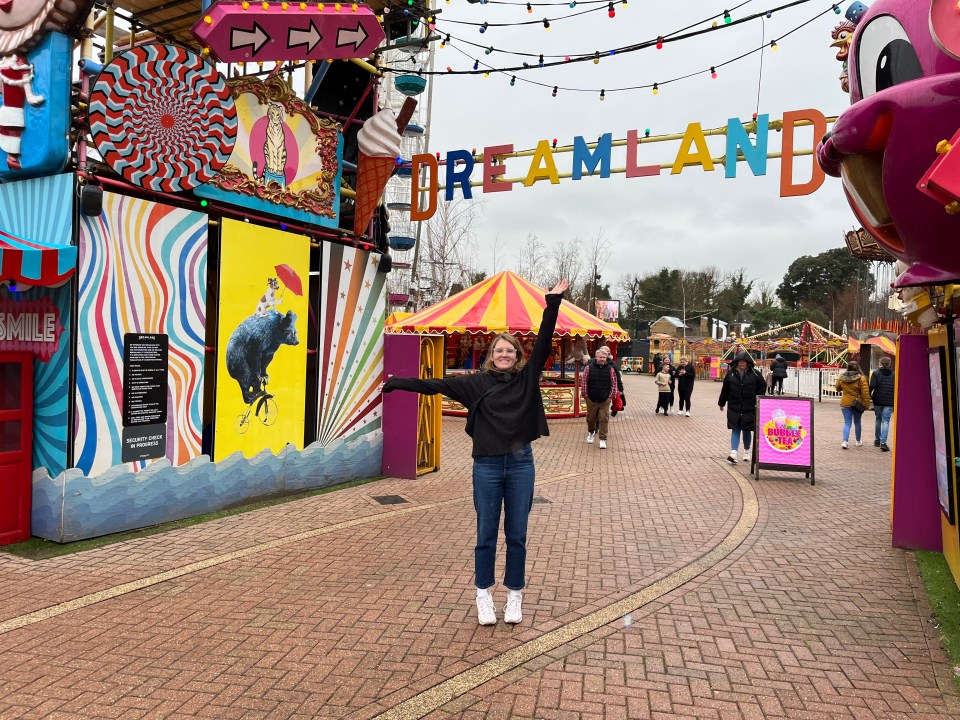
(252, 346)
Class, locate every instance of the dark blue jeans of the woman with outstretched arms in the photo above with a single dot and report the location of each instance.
(503, 480)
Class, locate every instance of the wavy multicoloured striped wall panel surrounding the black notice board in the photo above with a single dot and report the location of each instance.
(143, 269)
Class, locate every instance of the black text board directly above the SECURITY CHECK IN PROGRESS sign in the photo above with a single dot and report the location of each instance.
(145, 379)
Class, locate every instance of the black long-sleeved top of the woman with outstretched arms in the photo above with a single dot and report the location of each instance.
(512, 414)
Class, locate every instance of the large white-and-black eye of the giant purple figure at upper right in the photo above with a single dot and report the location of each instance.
(885, 56)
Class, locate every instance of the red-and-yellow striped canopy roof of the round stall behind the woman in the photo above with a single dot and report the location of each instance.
(503, 303)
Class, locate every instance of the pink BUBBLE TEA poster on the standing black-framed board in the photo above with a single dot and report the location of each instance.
(786, 432)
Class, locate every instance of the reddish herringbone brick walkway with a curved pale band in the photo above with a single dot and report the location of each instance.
(769, 599)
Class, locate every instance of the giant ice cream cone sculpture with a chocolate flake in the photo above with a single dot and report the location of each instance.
(379, 141)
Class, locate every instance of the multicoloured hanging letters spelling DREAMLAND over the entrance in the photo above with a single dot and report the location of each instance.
(589, 157)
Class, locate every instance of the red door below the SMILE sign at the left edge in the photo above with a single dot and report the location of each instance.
(16, 448)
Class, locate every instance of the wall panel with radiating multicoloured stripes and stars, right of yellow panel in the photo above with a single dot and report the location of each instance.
(352, 301)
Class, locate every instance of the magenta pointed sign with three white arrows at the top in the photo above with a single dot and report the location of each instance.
(279, 31)
